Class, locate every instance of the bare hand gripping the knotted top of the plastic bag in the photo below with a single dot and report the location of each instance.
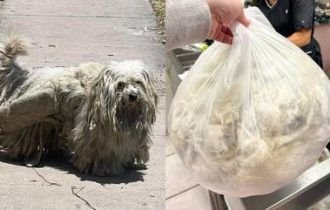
(223, 13)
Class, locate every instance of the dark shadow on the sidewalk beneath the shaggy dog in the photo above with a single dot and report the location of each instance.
(62, 163)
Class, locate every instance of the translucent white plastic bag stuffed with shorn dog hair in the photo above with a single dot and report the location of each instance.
(251, 117)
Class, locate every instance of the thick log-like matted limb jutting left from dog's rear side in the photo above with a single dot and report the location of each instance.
(27, 110)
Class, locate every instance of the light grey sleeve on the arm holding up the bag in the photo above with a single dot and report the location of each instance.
(187, 21)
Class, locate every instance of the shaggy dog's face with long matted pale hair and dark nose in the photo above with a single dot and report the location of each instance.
(127, 95)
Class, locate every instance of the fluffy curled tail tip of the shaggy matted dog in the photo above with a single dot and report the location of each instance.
(11, 46)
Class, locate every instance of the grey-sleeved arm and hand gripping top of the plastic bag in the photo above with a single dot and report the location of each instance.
(191, 21)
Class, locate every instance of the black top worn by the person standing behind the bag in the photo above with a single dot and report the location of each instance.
(289, 16)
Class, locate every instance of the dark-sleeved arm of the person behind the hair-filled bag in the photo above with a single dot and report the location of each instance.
(303, 17)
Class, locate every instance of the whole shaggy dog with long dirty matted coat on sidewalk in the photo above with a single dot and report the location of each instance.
(101, 115)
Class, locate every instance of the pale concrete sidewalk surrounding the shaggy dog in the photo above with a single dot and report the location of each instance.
(65, 33)
